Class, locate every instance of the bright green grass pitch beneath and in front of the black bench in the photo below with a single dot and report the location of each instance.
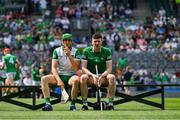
(128, 111)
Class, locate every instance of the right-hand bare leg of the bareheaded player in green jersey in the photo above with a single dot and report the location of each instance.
(110, 81)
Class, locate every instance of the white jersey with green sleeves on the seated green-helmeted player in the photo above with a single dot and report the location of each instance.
(65, 66)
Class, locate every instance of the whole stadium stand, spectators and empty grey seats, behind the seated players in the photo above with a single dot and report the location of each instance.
(34, 30)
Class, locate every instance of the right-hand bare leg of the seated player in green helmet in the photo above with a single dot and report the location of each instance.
(74, 82)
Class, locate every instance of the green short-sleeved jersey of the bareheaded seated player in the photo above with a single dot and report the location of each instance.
(98, 59)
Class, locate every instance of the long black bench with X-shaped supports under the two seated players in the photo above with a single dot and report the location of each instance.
(23, 90)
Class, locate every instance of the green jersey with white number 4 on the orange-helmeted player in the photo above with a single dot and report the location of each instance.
(10, 62)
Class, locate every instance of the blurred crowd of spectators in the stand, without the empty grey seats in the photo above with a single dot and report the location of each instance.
(32, 38)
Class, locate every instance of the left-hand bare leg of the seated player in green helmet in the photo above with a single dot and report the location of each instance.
(45, 81)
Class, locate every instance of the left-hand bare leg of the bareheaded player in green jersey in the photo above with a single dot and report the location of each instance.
(85, 80)
